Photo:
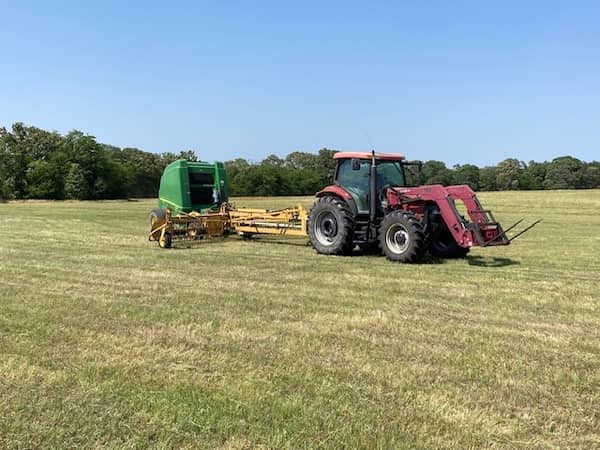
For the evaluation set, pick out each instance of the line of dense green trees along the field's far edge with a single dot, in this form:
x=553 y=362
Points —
x=38 y=164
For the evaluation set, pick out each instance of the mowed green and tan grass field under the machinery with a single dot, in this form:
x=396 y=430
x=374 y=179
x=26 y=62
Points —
x=108 y=341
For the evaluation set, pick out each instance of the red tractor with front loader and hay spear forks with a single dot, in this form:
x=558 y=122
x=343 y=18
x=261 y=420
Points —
x=370 y=205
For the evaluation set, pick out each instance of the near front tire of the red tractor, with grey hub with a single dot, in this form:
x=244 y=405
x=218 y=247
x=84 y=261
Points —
x=401 y=237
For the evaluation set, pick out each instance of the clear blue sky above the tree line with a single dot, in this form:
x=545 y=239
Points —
x=461 y=82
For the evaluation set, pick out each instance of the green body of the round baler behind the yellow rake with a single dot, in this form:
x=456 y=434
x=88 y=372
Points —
x=187 y=186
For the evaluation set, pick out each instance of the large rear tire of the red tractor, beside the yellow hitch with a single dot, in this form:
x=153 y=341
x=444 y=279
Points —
x=331 y=226
